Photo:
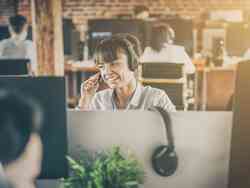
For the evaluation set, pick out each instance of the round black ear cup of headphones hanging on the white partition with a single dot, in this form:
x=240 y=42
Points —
x=165 y=160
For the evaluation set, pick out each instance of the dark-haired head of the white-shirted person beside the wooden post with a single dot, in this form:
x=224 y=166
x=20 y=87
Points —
x=18 y=27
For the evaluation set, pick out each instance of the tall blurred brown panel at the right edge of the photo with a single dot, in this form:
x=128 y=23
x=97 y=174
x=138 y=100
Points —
x=240 y=153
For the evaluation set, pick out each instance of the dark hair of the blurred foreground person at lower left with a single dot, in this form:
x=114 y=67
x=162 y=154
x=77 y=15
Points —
x=19 y=117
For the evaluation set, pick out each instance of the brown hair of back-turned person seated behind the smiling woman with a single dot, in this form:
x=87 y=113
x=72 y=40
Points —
x=161 y=35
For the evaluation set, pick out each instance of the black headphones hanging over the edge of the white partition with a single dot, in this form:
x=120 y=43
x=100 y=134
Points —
x=164 y=158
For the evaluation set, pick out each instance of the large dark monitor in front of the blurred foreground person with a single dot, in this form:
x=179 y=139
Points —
x=50 y=93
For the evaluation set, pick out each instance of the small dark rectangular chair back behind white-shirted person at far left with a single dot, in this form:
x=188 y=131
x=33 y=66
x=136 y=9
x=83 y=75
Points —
x=14 y=66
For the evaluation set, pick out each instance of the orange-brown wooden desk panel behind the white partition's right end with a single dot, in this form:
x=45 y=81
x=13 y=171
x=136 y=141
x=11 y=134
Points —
x=214 y=87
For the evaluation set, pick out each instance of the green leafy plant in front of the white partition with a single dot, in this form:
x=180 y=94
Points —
x=107 y=169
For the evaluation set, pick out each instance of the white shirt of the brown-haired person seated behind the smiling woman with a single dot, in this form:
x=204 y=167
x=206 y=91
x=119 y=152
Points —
x=169 y=54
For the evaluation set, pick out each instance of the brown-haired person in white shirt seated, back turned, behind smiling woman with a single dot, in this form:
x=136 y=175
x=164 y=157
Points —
x=163 y=50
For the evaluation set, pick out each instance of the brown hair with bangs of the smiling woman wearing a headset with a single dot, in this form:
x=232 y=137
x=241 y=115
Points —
x=107 y=51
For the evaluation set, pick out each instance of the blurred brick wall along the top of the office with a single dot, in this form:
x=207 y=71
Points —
x=82 y=10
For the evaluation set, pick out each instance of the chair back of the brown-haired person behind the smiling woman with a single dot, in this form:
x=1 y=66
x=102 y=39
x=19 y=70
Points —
x=169 y=77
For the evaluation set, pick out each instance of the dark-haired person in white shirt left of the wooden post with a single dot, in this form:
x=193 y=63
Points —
x=17 y=46
